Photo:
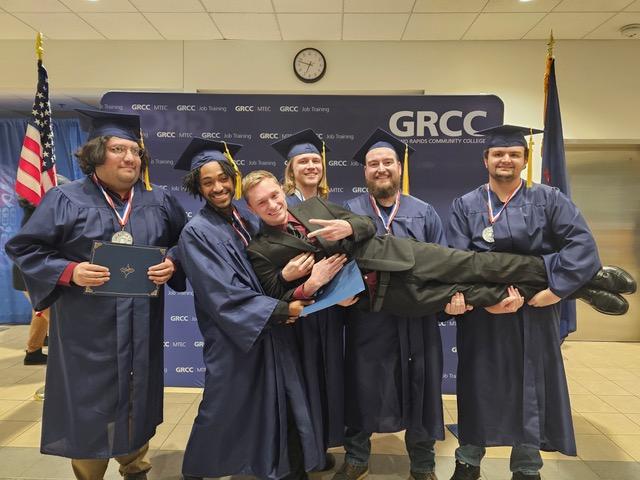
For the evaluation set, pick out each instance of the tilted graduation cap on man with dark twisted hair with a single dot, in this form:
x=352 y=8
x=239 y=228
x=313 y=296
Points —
x=200 y=152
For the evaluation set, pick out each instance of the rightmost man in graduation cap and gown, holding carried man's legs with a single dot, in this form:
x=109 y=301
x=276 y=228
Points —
x=511 y=384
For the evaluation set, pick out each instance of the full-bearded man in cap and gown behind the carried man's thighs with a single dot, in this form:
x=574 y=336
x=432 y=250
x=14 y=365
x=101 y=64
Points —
x=393 y=364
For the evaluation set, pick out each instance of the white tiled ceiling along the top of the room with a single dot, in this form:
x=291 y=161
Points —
x=316 y=19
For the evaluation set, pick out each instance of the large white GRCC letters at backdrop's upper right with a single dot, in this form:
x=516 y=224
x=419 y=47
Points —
x=409 y=124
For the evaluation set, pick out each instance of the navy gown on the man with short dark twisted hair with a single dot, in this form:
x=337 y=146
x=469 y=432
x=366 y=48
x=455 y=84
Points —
x=252 y=365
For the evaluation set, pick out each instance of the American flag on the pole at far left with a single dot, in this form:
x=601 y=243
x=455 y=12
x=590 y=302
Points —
x=36 y=168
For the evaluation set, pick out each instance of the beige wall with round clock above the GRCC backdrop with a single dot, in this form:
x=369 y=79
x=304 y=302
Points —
x=598 y=80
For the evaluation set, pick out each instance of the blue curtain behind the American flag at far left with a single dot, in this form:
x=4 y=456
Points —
x=68 y=136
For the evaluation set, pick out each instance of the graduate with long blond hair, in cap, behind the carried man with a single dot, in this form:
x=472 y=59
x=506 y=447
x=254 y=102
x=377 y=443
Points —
x=320 y=335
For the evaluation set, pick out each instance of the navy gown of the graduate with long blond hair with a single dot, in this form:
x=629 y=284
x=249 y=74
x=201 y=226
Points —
x=320 y=338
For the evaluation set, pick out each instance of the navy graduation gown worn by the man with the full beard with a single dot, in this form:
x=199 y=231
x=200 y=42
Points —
x=393 y=364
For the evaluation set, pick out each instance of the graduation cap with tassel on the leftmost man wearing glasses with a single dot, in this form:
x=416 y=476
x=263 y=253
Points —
x=100 y=123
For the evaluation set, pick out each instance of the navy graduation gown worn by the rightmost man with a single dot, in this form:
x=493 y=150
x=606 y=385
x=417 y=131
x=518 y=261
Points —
x=511 y=383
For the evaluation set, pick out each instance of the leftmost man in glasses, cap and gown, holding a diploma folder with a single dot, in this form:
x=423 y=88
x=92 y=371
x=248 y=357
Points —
x=104 y=385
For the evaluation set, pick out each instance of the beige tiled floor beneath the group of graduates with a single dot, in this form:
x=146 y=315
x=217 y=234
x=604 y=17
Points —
x=604 y=381
